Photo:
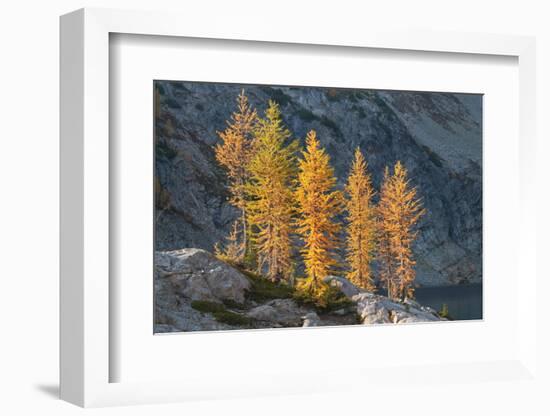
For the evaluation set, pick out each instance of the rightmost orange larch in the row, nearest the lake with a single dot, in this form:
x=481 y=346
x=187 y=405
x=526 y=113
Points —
x=400 y=210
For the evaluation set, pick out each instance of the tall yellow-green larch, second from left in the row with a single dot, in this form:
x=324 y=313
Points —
x=270 y=194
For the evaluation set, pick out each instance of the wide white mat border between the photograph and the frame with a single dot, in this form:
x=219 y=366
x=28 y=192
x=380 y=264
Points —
x=137 y=60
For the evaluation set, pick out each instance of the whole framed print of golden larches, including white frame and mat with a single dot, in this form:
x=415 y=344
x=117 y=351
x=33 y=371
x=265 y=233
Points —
x=238 y=208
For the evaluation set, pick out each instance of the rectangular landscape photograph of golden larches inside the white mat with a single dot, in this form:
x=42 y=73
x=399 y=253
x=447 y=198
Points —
x=283 y=206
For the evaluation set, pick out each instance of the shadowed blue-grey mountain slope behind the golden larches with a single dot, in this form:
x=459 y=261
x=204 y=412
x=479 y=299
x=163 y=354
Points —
x=436 y=135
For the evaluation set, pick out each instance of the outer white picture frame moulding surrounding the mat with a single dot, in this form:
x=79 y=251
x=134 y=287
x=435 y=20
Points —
x=85 y=354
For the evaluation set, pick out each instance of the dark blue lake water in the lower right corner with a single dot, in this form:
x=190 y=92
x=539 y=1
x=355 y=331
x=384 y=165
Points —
x=463 y=301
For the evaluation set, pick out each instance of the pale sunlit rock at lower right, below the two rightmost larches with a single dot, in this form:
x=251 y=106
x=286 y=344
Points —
x=374 y=309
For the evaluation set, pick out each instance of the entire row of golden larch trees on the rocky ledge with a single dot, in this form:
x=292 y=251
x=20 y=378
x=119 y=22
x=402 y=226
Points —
x=279 y=195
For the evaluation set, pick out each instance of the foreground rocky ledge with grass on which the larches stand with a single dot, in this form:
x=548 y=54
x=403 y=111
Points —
x=197 y=292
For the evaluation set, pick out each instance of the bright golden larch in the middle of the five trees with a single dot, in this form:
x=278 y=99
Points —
x=319 y=203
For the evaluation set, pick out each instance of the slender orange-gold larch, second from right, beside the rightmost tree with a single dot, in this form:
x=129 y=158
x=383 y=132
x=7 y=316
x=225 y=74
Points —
x=361 y=228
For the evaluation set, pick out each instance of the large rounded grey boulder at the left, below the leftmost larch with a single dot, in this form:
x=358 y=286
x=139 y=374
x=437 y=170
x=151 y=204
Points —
x=198 y=275
